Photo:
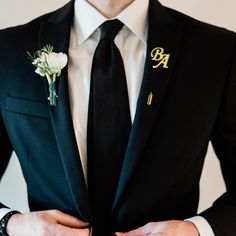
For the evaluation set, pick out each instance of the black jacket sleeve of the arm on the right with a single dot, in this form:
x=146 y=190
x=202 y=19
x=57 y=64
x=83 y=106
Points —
x=222 y=215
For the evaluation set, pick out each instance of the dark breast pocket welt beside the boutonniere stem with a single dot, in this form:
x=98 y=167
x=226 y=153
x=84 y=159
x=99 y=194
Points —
x=27 y=107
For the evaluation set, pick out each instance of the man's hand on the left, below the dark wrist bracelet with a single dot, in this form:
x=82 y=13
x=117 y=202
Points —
x=46 y=223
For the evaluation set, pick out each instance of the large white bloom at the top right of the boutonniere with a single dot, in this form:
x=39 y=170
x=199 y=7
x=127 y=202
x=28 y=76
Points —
x=56 y=61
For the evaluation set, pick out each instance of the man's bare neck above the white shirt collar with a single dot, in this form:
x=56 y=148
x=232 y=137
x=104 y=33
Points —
x=110 y=8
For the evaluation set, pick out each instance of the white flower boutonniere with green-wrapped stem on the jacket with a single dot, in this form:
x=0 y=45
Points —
x=49 y=64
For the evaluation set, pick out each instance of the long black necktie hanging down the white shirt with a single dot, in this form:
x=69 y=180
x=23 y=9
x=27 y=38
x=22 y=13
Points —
x=109 y=126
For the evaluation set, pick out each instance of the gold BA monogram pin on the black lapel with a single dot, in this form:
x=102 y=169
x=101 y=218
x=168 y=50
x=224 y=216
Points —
x=161 y=58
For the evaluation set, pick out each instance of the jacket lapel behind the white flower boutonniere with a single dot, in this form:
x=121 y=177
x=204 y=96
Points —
x=56 y=32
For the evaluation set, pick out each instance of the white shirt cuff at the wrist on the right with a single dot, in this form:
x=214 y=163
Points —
x=202 y=225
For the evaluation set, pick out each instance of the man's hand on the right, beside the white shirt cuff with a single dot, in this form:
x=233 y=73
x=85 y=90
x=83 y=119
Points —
x=164 y=228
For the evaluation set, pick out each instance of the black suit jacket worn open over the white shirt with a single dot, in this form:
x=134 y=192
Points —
x=194 y=101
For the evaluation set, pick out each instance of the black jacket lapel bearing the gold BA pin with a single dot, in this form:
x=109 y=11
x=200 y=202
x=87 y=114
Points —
x=165 y=34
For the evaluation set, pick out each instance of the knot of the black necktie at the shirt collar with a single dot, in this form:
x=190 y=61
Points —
x=109 y=29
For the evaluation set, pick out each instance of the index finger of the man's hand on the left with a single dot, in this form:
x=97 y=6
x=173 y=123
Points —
x=67 y=220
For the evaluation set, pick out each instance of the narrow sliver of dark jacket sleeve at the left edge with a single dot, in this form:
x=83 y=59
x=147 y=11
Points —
x=5 y=150
